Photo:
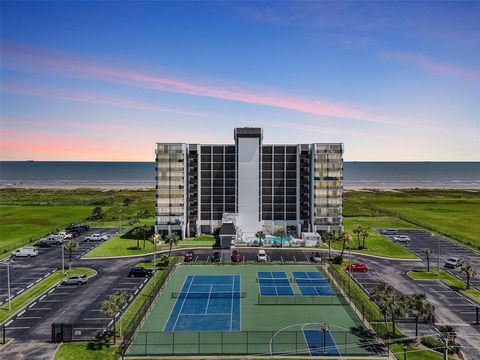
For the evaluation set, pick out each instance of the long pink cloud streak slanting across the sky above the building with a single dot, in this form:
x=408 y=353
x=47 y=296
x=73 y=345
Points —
x=37 y=60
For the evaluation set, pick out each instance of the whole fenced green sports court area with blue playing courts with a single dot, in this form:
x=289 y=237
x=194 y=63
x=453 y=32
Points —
x=293 y=326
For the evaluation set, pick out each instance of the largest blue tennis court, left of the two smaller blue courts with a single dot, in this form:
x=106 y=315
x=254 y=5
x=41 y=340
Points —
x=207 y=303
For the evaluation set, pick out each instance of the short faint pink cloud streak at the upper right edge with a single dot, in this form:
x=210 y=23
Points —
x=438 y=68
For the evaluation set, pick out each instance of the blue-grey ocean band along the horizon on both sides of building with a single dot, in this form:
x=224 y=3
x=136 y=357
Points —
x=357 y=175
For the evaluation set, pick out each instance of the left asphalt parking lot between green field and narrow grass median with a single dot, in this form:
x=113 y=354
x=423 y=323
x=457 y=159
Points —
x=25 y=272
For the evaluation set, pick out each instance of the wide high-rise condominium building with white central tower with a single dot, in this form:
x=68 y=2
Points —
x=263 y=187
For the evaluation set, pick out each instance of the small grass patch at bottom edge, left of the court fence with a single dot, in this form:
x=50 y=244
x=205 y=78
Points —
x=87 y=351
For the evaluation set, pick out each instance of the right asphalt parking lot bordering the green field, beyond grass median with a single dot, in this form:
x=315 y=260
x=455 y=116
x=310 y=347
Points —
x=420 y=239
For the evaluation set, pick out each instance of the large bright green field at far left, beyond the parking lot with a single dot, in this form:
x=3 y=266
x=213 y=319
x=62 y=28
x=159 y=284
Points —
x=21 y=224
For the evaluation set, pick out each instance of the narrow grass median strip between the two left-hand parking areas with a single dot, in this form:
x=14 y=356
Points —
x=27 y=296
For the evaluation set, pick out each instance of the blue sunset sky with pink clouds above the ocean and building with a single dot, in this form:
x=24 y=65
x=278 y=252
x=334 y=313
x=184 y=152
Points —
x=105 y=81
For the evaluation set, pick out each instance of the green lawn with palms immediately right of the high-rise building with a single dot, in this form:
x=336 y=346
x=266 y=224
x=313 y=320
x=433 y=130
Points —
x=376 y=244
